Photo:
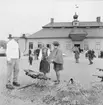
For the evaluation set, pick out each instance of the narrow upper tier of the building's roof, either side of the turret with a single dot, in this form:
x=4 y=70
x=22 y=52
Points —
x=69 y=24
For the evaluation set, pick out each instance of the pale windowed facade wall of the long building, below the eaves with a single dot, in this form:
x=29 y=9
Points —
x=66 y=45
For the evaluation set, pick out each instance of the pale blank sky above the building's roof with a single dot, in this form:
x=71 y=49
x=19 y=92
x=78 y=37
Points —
x=19 y=17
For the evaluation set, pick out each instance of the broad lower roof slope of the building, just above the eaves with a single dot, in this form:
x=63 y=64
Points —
x=65 y=32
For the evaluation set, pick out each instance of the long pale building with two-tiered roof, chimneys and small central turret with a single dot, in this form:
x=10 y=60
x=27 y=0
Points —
x=87 y=35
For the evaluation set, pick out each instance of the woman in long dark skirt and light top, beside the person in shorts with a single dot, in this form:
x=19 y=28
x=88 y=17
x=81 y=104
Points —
x=44 y=64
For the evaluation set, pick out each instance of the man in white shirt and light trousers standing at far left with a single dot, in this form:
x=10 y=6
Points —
x=13 y=55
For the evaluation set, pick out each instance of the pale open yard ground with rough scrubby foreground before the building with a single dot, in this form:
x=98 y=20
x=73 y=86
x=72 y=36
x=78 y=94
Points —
x=46 y=92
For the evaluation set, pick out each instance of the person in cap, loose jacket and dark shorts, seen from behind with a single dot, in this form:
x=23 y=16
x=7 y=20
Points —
x=56 y=58
